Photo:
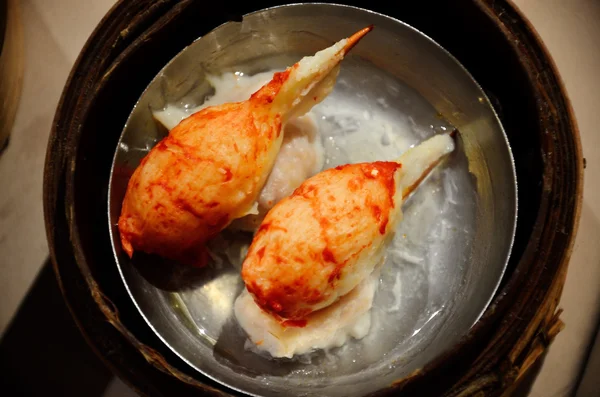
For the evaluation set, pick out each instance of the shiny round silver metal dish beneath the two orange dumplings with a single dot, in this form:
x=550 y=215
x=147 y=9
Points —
x=449 y=253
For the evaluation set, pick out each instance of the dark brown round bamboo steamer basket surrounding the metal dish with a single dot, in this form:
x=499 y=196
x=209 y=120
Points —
x=490 y=38
